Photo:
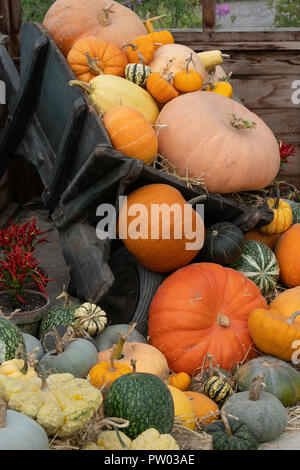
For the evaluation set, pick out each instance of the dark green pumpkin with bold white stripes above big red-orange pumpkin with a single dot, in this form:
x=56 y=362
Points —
x=259 y=264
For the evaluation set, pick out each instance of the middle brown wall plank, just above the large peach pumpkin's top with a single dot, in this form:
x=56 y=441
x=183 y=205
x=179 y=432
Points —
x=266 y=91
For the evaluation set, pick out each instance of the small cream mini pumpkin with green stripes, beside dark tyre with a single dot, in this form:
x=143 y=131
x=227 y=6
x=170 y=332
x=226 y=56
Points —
x=90 y=318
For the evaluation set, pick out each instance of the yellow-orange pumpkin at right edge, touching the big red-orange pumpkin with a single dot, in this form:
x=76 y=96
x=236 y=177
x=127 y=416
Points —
x=275 y=334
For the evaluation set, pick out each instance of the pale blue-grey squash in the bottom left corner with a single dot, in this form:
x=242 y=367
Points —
x=22 y=433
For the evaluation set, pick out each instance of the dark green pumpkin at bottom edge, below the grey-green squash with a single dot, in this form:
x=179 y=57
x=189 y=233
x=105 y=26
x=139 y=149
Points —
x=239 y=437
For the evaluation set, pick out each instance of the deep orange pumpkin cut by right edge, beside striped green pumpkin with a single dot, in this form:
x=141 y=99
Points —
x=287 y=252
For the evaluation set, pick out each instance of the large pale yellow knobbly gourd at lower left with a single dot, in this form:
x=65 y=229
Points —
x=62 y=404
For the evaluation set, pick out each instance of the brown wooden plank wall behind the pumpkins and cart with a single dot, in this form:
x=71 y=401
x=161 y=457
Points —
x=265 y=68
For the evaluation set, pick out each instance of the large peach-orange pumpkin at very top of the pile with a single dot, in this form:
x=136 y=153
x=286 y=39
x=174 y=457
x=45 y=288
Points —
x=70 y=20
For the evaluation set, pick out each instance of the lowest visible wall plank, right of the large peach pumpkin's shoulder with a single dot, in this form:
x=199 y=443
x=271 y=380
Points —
x=285 y=123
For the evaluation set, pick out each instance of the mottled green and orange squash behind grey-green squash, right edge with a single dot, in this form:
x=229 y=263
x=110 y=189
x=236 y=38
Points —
x=282 y=380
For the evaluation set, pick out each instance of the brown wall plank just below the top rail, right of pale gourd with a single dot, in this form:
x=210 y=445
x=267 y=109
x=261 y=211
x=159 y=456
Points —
x=264 y=63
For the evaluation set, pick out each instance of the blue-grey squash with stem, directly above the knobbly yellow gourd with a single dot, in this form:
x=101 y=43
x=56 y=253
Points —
x=77 y=358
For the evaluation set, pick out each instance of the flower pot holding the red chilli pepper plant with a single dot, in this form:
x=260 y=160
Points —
x=28 y=321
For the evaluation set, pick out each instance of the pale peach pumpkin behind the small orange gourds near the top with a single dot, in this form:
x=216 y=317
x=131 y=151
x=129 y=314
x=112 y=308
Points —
x=171 y=58
